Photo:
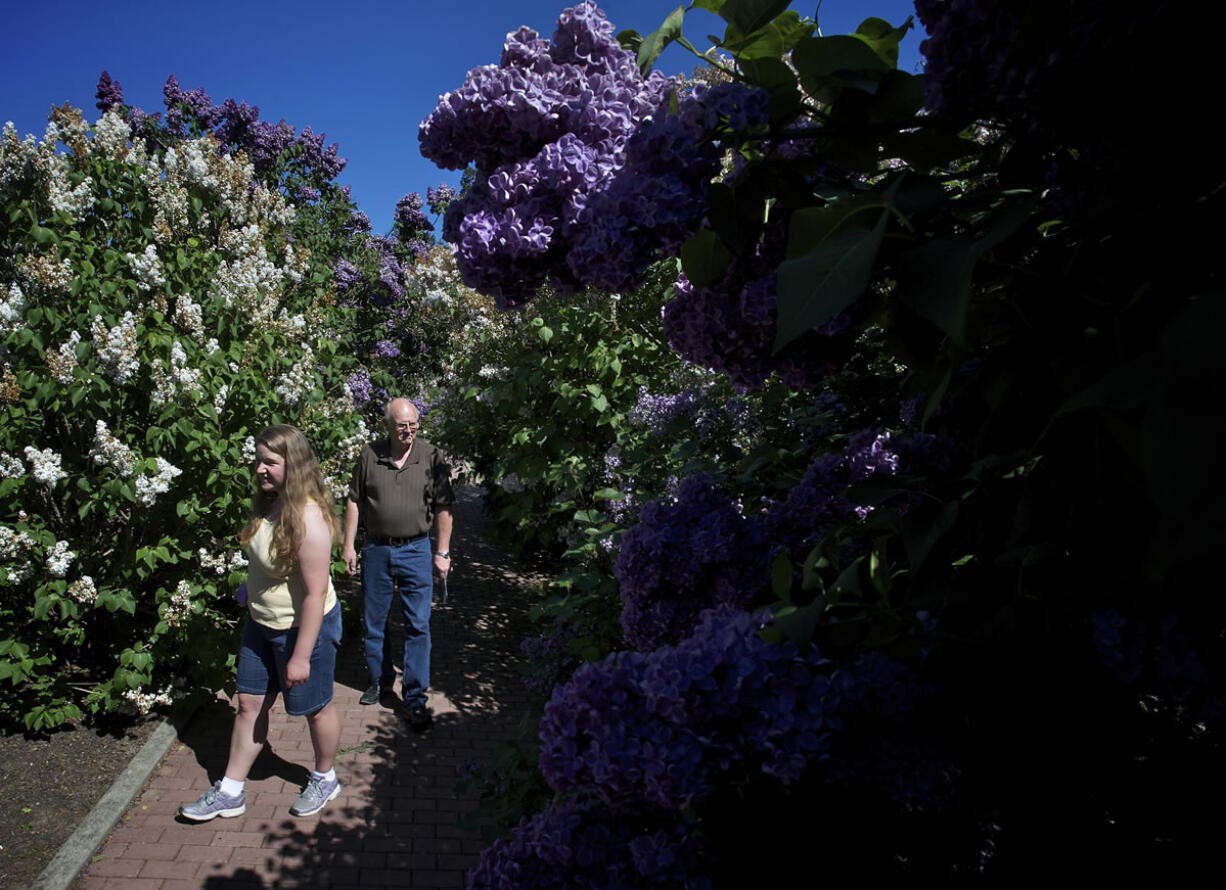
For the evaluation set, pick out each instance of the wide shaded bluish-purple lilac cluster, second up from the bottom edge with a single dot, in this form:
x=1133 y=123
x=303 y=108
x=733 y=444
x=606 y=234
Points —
x=665 y=728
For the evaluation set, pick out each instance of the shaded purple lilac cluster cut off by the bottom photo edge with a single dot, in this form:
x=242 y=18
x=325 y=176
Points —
x=589 y=845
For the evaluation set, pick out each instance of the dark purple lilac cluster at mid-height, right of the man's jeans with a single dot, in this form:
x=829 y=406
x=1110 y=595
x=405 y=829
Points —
x=685 y=557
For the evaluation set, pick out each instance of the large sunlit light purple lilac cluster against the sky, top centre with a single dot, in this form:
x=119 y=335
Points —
x=583 y=176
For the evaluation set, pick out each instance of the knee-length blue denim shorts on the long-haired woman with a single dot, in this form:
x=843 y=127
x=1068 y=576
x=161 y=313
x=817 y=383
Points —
x=265 y=653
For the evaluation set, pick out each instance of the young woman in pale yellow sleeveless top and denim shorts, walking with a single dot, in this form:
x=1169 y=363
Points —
x=294 y=625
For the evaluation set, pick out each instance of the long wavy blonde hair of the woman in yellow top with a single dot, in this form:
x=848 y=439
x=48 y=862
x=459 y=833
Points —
x=305 y=485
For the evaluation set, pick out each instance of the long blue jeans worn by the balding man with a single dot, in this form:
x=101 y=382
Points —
x=406 y=569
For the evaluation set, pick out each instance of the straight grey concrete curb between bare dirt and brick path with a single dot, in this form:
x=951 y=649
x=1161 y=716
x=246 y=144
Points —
x=93 y=832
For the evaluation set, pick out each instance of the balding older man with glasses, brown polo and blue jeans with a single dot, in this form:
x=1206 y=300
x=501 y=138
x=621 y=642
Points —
x=402 y=486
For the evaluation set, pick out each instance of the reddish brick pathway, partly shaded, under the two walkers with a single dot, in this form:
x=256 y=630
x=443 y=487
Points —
x=395 y=823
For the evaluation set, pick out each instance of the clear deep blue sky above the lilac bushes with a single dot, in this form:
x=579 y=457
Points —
x=365 y=72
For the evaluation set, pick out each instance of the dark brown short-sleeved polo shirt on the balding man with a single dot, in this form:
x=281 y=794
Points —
x=400 y=502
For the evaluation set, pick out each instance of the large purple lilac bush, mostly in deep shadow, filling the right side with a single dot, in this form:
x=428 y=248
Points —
x=952 y=627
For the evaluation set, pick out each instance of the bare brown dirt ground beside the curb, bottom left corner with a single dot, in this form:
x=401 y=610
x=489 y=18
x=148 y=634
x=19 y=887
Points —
x=50 y=784
